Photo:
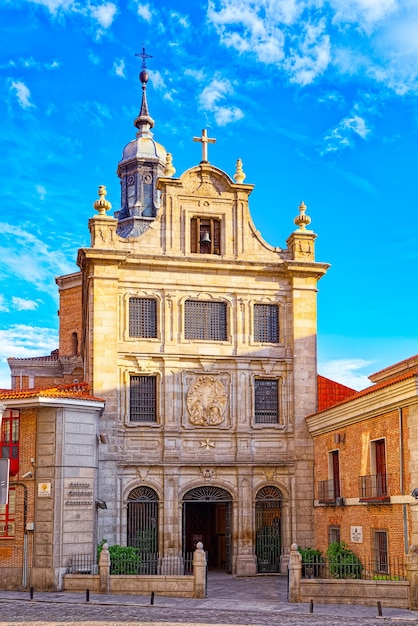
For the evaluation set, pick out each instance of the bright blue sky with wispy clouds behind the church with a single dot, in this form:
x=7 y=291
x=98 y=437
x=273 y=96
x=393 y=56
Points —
x=318 y=98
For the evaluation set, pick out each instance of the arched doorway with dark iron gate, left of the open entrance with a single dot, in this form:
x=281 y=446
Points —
x=142 y=521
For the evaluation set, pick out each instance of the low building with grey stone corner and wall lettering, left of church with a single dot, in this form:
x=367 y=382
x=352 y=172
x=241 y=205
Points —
x=50 y=437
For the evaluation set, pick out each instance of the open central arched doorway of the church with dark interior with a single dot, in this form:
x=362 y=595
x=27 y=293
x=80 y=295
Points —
x=207 y=517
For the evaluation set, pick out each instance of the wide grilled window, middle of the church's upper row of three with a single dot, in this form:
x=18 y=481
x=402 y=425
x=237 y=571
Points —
x=205 y=320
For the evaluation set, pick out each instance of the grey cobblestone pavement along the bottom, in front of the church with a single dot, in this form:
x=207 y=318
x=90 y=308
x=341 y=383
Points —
x=259 y=601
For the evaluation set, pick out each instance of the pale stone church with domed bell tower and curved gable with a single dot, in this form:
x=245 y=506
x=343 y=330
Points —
x=201 y=339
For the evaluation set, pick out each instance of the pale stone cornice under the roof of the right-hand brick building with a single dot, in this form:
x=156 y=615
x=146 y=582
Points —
x=372 y=404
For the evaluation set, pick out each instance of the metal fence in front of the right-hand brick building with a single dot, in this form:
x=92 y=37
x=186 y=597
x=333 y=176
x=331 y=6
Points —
x=365 y=569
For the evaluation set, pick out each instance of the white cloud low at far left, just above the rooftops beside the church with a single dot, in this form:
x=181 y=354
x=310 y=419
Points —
x=22 y=341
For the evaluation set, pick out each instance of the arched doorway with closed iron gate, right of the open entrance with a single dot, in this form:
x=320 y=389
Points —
x=267 y=525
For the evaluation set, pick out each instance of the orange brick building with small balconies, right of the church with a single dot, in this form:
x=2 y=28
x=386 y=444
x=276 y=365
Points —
x=366 y=467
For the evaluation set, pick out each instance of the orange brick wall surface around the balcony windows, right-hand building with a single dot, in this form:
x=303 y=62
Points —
x=355 y=461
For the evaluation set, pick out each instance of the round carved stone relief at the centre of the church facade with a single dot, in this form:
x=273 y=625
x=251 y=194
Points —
x=206 y=401
